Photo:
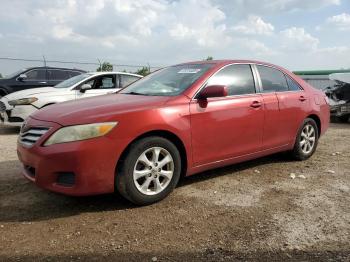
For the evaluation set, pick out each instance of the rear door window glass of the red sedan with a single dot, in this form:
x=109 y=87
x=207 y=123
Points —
x=272 y=79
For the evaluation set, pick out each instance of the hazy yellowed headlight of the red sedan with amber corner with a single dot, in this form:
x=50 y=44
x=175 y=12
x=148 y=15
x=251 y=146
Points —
x=80 y=132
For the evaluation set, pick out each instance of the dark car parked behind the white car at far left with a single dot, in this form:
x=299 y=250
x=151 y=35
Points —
x=35 y=77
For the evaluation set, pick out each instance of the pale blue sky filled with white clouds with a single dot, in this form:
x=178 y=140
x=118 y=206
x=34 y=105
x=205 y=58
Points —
x=297 y=34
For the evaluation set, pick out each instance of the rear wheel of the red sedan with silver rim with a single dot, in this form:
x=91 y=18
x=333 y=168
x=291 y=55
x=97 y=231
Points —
x=306 y=140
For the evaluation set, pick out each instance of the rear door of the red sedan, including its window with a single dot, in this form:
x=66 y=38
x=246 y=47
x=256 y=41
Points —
x=283 y=107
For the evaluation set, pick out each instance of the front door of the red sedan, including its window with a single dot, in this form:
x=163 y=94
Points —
x=231 y=126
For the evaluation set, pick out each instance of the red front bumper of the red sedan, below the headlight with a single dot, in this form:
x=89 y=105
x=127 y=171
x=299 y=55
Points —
x=90 y=165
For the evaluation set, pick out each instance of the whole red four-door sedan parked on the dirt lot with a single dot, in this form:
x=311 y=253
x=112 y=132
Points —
x=180 y=120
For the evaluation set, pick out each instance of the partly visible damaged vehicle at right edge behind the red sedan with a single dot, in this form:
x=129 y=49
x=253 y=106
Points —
x=339 y=96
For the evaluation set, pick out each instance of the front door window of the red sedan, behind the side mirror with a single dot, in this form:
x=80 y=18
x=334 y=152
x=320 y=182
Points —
x=238 y=79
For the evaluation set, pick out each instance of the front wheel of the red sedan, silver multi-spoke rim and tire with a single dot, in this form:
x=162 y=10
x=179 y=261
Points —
x=149 y=171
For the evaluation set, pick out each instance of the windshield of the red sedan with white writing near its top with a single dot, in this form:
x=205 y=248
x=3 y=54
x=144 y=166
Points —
x=170 y=81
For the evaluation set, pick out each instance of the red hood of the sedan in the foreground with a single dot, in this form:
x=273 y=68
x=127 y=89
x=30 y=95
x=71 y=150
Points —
x=97 y=109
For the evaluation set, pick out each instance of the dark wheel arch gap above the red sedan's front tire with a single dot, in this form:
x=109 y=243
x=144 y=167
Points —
x=164 y=134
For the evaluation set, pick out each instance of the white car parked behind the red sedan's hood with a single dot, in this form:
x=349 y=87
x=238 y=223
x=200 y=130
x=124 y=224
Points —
x=16 y=107
